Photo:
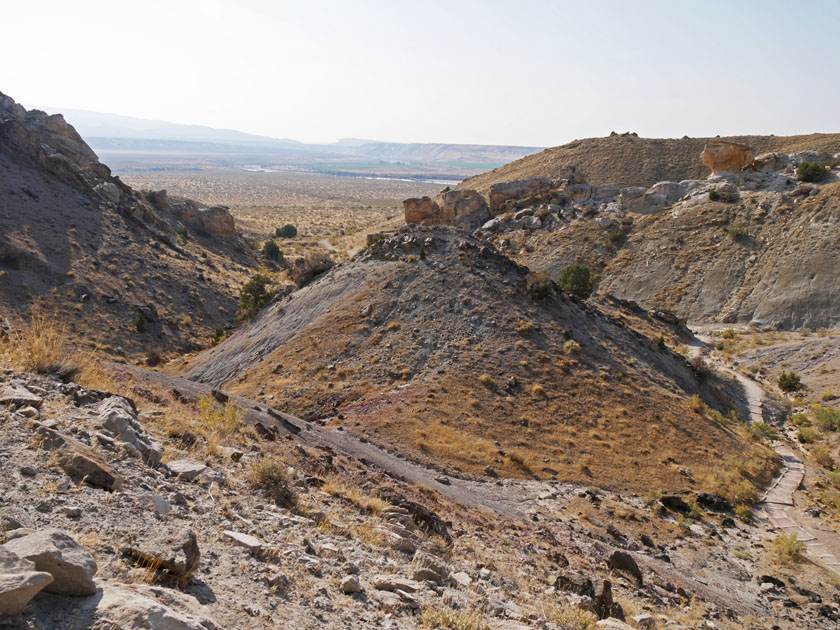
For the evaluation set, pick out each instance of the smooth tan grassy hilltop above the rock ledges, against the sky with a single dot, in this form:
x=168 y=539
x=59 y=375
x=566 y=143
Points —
x=630 y=161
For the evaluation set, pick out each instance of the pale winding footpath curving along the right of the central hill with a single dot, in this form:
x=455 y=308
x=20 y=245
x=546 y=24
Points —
x=780 y=495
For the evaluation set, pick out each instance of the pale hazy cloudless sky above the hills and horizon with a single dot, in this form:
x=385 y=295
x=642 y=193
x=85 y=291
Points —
x=523 y=72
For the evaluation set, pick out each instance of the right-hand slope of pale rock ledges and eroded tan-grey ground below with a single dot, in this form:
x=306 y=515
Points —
x=748 y=244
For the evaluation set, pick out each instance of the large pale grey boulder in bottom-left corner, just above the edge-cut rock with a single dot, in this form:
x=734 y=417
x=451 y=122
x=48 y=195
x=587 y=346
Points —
x=53 y=551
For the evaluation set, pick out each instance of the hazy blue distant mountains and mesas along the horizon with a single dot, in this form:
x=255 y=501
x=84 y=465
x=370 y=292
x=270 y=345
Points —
x=127 y=142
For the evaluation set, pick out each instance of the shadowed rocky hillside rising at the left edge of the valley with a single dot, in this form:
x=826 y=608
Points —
x=77 y=242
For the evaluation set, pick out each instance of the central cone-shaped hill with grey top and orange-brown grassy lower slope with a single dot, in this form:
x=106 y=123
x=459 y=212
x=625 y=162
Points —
x=452 y=360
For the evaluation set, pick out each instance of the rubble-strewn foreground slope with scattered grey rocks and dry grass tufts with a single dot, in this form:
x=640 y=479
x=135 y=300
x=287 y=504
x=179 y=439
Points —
x=169 y=516
